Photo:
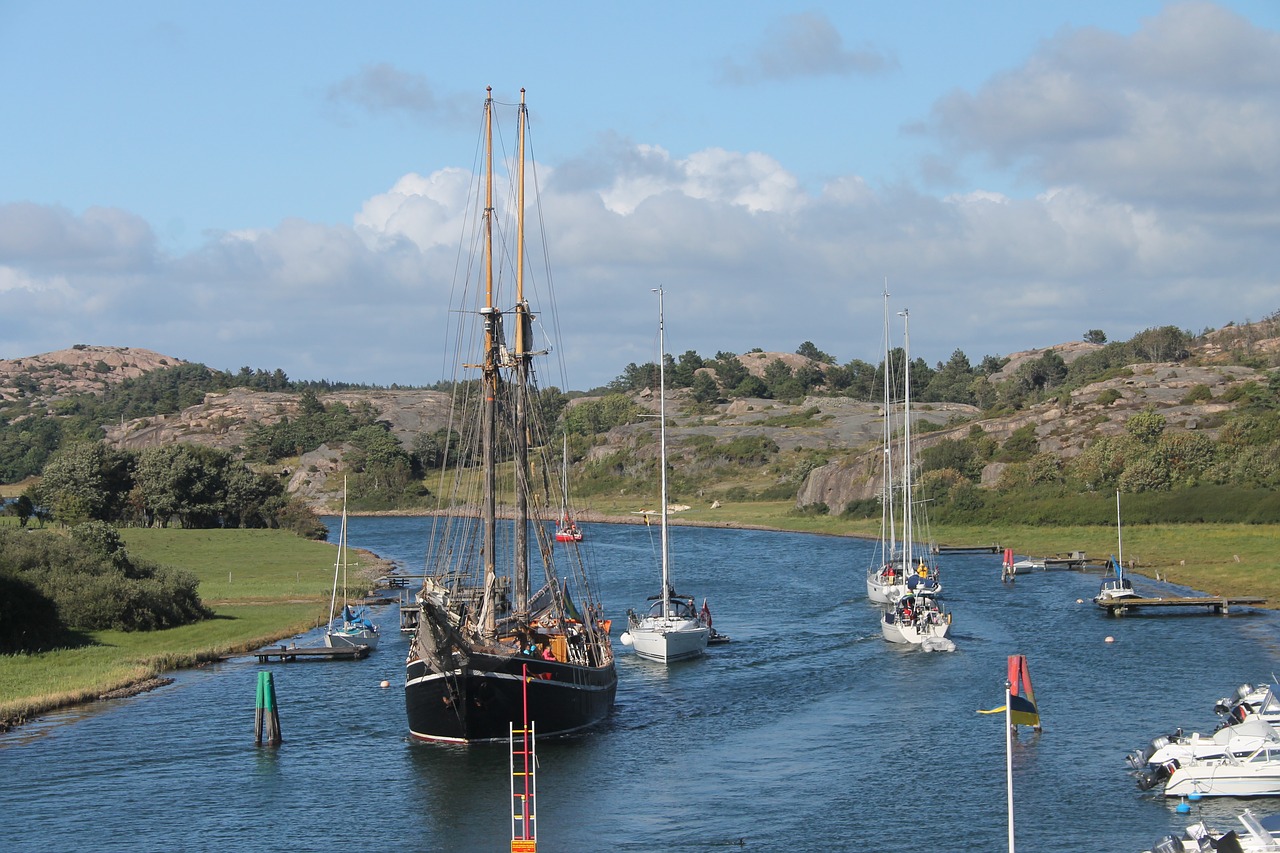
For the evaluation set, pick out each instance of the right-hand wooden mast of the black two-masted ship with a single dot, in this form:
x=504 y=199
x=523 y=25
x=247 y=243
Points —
x=520 y=580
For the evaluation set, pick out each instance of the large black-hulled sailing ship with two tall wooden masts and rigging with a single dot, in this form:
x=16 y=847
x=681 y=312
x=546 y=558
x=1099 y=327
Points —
x=490 y=636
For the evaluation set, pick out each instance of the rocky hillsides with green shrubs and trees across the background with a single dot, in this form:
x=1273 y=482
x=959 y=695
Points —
x=1167 y=413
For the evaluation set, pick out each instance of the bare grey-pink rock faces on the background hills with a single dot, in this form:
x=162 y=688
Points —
x=843 y=430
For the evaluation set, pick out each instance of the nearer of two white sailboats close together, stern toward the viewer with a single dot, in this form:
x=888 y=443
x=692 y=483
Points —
x=915 y=613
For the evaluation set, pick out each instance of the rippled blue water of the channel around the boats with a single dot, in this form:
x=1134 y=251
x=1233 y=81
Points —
x=806 y=733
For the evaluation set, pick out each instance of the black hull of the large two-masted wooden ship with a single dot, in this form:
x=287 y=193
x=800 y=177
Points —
x=479 y=703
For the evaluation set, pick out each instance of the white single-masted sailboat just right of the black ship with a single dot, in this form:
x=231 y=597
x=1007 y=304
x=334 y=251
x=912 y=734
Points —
x=671 y=630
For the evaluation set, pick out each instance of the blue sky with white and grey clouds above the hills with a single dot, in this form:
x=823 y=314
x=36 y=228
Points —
x=280 y=185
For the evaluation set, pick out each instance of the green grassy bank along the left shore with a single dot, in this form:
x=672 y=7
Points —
x=262 y=585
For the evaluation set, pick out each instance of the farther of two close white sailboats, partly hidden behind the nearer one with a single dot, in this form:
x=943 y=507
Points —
x=900 y=567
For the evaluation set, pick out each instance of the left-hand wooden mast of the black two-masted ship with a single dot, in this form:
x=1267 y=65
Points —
x=490 y=418
